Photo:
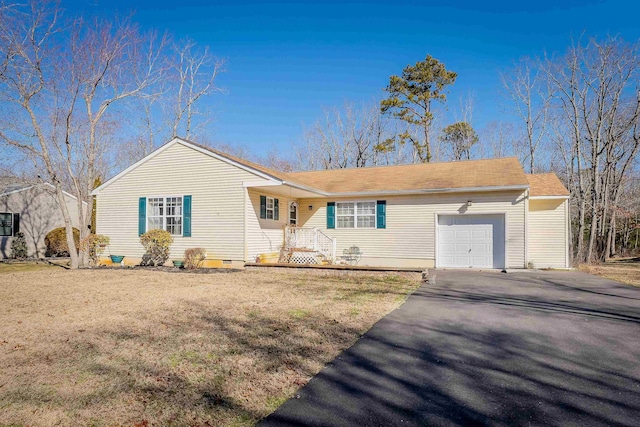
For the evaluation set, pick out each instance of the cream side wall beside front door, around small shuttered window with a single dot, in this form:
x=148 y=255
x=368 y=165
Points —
x=264 y=235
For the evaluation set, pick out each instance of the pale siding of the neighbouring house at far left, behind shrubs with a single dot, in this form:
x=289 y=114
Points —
x=39 y=213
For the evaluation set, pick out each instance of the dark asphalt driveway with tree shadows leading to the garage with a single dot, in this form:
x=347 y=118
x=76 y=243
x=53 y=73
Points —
x=484 y=348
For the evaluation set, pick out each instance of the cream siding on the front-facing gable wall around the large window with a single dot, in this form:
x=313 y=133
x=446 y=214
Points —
x=218 y=200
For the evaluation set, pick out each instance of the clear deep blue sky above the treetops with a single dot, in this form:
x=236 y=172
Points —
x=287 y=60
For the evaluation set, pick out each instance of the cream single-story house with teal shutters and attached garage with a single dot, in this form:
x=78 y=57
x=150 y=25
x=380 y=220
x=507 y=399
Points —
x=475 y=213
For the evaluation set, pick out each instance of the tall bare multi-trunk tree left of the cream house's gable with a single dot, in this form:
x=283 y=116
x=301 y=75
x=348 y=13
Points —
x=60 y=83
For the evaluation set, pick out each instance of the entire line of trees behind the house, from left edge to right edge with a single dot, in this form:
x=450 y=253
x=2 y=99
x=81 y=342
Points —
x=82 y=98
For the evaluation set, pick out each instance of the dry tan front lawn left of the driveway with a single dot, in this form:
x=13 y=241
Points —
x=110 y=347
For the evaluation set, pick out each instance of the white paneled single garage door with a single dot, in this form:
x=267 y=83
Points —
x=475 y=241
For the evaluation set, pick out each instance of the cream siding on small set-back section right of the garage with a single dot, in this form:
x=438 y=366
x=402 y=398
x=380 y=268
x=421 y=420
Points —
x=547 y=233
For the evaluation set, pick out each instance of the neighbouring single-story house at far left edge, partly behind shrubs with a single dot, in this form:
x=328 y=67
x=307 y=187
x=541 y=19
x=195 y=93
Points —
x=32 y=209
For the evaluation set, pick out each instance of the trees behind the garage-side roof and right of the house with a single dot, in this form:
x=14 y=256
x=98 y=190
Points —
x=577 y=114
